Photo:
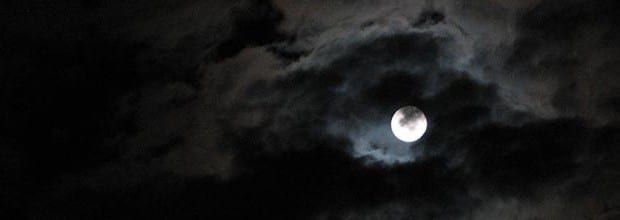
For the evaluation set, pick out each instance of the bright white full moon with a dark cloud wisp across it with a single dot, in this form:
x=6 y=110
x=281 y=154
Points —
x=409 y=124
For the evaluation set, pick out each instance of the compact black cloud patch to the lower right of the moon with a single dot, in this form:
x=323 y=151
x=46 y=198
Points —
x=526 y=155
